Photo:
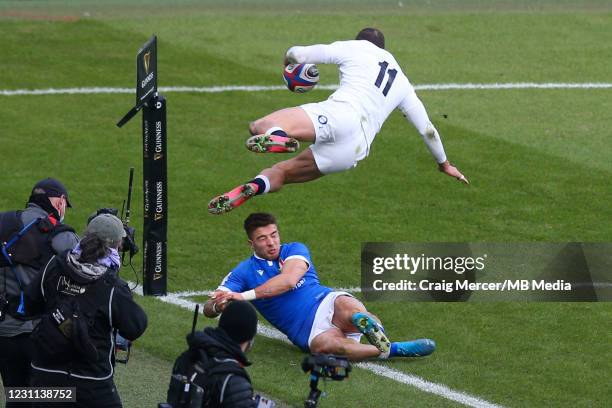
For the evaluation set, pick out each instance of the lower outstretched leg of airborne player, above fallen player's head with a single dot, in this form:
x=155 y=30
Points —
x=299 y=169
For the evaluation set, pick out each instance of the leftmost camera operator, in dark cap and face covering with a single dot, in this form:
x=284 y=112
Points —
x=20 y=263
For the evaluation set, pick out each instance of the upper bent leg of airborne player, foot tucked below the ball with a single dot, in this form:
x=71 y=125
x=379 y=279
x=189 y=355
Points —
x=280 y=131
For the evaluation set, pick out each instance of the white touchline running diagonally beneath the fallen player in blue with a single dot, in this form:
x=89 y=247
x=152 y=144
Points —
x=178 y=299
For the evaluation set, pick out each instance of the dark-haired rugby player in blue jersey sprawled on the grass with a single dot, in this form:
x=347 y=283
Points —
x=282 y=283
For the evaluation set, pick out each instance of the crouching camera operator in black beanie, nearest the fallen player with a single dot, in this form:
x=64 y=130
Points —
x=215 y=362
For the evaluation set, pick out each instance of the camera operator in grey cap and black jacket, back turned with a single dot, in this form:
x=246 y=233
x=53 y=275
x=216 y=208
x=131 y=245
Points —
x=84 y=300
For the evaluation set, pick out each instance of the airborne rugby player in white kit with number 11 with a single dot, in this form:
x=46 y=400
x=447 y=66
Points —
x=342 y=128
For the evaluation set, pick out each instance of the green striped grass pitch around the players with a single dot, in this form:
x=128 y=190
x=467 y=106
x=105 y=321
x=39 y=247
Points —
x=539 y=160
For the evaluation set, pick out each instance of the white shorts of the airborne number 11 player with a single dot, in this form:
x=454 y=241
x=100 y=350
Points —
x=340 y=136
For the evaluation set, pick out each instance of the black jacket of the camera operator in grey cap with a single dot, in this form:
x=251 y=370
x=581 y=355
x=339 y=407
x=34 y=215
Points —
x=106 y=303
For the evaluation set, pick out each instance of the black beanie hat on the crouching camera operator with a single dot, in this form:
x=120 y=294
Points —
x=239 y=321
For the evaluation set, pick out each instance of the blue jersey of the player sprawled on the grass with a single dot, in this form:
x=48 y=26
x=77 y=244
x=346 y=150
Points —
x=292 y=312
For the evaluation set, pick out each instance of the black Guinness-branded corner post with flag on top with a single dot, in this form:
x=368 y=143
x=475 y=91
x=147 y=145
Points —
x=155 y=183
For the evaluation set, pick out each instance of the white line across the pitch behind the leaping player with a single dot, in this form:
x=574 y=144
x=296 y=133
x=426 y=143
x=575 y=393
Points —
x=259 y=88
